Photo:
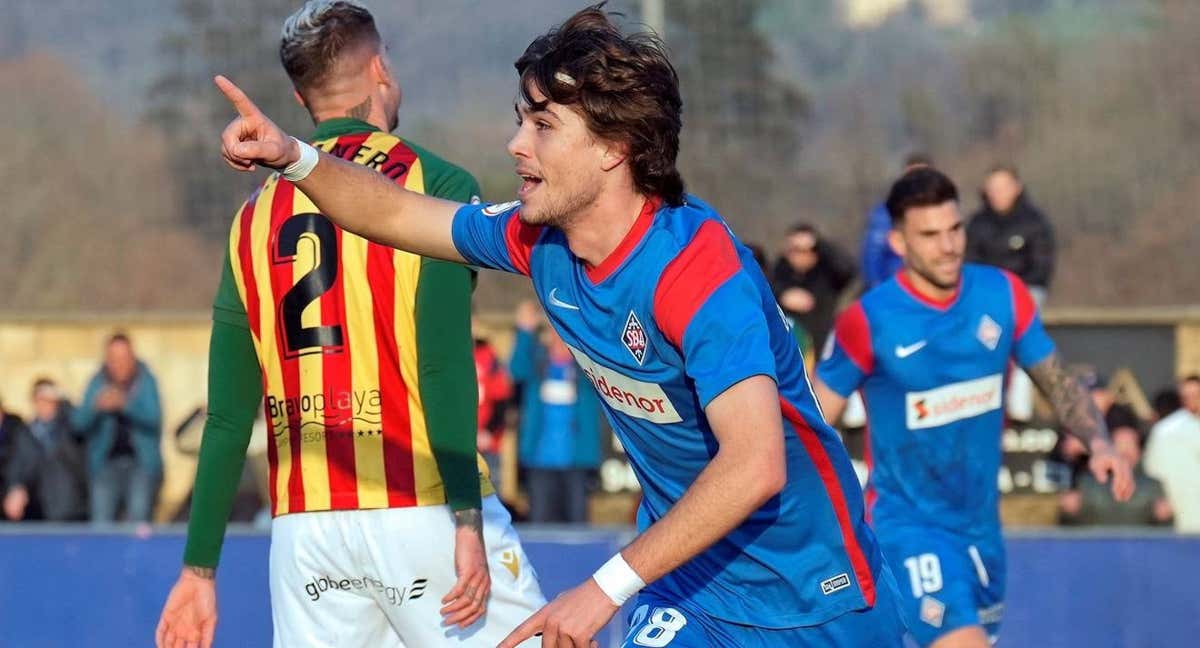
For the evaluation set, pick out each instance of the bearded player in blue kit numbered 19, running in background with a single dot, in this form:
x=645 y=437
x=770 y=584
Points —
x=931 y=350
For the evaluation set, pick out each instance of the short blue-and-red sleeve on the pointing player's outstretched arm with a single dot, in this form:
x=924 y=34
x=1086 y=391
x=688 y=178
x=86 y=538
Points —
x=494 y=237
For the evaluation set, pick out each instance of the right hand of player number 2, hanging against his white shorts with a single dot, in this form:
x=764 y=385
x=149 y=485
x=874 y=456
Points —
x=467 y=602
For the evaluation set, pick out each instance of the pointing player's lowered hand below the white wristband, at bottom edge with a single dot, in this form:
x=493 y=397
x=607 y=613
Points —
x=571 y=621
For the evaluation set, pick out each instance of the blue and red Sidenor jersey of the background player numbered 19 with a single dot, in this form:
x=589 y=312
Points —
x=933 y=376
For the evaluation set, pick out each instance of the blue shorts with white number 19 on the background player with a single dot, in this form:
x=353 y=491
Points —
x=947 y=581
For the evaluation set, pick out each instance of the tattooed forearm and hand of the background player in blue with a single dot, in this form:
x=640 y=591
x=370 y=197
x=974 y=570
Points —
x=1077 y=412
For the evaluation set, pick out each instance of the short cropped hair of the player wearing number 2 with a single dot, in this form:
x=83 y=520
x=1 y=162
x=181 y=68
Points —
x=317 y=34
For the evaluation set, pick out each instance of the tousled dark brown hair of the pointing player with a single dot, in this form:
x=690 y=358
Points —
x=625 y=87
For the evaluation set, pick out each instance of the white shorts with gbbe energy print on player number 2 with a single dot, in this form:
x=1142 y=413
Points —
x=377 y=578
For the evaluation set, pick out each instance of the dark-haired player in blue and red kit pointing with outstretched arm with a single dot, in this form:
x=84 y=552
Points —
x=753 y=527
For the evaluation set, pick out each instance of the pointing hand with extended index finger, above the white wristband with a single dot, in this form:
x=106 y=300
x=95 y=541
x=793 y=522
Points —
x=251 y=139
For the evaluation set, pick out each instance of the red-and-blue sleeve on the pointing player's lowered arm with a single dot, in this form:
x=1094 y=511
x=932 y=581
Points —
x=711 y=310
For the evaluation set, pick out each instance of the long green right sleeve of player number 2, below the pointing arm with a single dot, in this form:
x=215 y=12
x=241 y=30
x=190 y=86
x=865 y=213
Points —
x=447 y=376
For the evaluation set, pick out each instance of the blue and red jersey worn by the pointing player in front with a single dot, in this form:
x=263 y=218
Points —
x=679 y=314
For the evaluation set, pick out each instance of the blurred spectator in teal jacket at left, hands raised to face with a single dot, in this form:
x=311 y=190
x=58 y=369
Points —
x=122 y=421
